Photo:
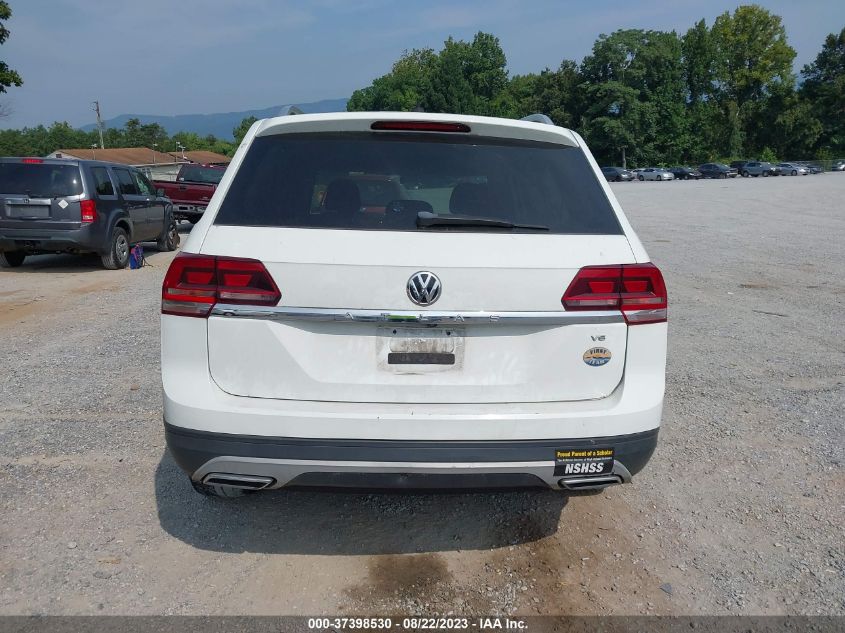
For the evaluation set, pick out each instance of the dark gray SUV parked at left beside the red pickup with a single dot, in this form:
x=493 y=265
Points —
x=79 y=206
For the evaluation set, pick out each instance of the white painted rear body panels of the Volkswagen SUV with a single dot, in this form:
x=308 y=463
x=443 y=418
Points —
x=325 y=380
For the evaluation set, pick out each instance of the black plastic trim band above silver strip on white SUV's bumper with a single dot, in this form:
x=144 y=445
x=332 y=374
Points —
x=191 y=449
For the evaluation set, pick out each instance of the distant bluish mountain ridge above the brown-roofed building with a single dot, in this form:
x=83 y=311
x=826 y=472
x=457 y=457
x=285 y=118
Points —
x=221 y=123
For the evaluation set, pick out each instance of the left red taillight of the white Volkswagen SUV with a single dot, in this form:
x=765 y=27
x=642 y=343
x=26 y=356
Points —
x=194 y=283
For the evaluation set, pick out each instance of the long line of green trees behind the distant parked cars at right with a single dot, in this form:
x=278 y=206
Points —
x=716 y=92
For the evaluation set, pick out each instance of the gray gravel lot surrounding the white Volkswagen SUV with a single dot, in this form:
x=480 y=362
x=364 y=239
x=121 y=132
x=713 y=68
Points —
x=740 y=511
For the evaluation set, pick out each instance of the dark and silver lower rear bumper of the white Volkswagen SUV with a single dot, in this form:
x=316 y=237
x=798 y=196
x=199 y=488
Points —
x=285 y=461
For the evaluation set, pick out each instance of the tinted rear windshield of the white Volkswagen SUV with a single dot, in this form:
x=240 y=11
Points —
x=383 y=181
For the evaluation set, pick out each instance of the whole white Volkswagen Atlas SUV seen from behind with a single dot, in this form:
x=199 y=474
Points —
x=406 y=299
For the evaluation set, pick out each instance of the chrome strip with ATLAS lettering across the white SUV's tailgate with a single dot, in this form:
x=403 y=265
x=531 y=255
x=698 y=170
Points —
x=403 y=317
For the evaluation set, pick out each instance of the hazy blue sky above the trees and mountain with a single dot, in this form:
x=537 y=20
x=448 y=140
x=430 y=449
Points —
x=202 y=56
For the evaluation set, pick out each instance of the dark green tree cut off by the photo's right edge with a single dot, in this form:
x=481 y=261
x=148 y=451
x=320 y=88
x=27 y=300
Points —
x=824 y=90
